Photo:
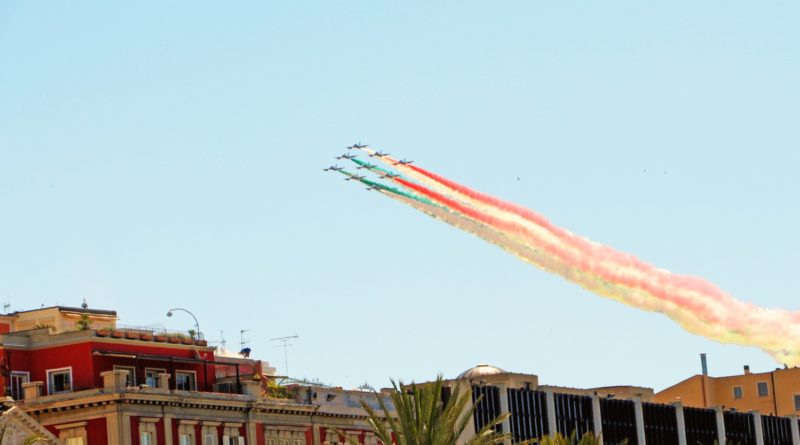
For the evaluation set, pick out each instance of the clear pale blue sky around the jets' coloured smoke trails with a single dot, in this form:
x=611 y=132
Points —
x=162 y=154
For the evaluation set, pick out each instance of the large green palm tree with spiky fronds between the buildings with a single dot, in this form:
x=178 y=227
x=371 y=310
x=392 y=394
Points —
x=422 y=418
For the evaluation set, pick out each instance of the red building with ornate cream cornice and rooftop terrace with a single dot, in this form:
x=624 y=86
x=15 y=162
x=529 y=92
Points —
x=84 y=380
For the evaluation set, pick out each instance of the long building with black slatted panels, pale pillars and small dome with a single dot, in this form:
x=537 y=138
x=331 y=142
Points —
x=615 y=414
